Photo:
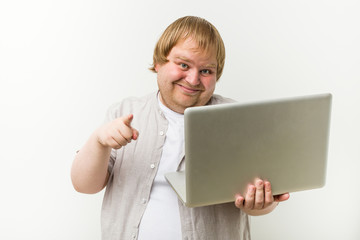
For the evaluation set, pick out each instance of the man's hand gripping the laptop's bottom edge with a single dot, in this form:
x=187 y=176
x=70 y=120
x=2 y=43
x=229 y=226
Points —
x=259 y=199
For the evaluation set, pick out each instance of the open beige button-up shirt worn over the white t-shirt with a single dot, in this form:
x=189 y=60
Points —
x=132 y=171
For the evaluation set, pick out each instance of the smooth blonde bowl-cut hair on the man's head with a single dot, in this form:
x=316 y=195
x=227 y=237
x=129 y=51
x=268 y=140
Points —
x=201 y=31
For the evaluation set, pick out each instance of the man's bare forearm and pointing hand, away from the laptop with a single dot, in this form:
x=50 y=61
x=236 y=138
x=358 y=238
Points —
x=89 y=172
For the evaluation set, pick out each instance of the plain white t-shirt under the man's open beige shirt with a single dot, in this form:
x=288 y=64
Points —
x=161 y=220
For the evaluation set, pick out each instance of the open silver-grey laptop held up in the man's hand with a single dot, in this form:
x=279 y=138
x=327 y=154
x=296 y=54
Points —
x=227 y=146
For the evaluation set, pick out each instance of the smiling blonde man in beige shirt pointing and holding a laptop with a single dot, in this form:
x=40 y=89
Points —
x=143 y=139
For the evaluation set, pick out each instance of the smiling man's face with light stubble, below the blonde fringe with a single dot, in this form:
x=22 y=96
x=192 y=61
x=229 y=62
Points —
x=188 y=78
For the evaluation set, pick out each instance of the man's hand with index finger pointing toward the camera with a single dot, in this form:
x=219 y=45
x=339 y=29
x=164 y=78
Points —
x=117 y=133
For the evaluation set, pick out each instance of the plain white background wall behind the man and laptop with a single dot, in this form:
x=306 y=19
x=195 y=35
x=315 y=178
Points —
x=62 y=63
